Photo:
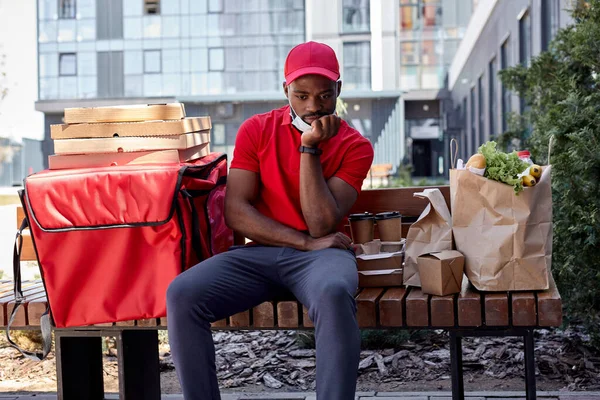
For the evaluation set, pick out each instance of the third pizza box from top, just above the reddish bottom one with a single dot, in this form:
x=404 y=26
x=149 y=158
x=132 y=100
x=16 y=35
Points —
x=127 y=144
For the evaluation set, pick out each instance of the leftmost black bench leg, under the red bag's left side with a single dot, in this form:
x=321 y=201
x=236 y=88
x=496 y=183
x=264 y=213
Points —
x=79 y=367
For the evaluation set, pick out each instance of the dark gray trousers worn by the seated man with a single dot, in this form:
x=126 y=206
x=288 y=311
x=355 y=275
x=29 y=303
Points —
x=325 y=281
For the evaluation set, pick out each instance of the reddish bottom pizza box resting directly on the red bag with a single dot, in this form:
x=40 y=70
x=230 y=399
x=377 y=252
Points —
x=72 y=161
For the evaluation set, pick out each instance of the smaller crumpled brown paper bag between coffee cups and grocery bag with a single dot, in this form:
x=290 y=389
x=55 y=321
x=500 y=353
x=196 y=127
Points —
x=431 y=233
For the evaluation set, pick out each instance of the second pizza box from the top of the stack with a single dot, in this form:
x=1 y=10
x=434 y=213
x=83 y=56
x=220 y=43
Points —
x=125 y=129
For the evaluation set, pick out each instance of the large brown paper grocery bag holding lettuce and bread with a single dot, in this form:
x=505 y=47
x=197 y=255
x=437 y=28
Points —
x=506 y=239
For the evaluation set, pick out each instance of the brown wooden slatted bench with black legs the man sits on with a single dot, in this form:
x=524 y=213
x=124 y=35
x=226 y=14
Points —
x=470 y=313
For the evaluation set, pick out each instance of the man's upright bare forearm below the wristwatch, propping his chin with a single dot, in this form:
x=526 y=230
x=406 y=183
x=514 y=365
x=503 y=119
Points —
x=319 y=207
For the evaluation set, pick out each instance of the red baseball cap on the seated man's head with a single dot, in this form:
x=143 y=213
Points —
x=311 y=58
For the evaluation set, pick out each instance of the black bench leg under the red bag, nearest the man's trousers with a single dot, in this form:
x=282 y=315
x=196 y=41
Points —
x=139 y=373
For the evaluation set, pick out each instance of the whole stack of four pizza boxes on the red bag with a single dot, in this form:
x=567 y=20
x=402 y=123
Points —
x=128 y=135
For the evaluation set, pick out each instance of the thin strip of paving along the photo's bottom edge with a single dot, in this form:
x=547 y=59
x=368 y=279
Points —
x=360 y=396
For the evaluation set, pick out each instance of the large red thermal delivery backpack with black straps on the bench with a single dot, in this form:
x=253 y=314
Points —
x=110 y=240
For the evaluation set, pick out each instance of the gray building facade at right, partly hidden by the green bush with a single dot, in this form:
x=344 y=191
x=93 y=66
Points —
x=501 y=34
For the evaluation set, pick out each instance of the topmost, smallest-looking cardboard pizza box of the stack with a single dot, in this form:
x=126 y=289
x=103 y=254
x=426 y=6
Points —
x=131 y=113
